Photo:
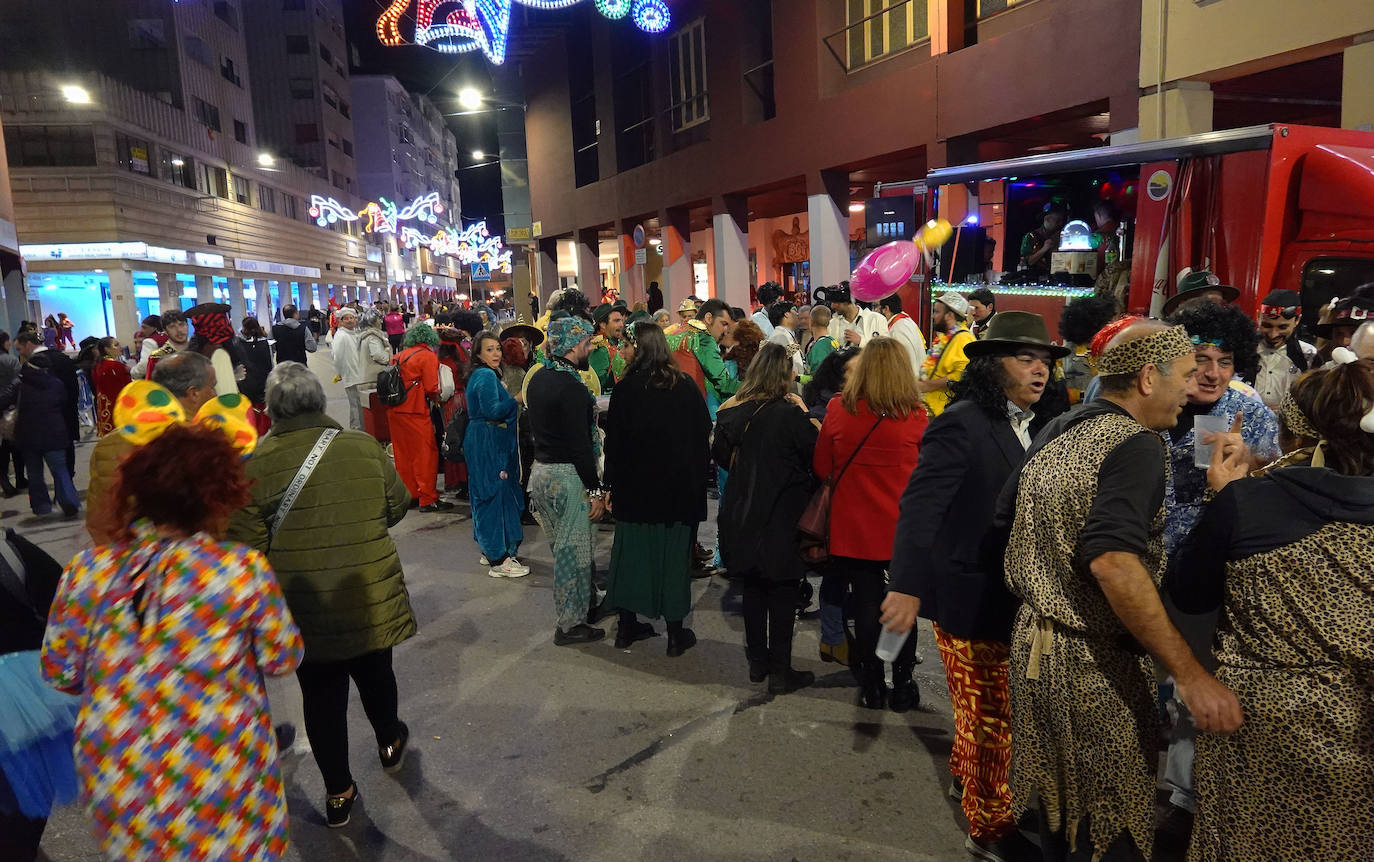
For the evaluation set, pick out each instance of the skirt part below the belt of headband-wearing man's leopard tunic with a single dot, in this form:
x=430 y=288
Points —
x=1085 y=735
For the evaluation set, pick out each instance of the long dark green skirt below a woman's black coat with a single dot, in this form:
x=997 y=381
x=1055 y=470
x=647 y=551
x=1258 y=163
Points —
x=649 y=570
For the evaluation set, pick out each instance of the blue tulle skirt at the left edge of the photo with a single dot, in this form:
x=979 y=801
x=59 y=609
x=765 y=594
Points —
x=36 y=740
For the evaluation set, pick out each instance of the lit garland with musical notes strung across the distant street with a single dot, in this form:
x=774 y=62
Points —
x=471 y=245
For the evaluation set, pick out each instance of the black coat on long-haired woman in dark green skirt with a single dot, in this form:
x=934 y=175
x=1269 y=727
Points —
x=657 y=447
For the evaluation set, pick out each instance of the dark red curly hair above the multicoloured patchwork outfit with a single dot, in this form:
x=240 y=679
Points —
x=190 y=479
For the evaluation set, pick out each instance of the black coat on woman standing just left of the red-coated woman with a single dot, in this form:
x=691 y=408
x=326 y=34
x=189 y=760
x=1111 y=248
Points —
x=769 y=489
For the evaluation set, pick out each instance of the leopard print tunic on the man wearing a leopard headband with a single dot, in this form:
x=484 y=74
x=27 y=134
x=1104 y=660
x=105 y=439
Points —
x=1083 y=695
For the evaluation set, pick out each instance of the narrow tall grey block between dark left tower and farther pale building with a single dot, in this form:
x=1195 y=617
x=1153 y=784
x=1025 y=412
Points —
x=304 y=112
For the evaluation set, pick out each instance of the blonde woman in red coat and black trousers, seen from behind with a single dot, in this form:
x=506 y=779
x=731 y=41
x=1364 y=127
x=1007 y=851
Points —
x=877 y=423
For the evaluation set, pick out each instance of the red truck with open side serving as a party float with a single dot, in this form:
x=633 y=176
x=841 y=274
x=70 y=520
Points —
x=1262 y=207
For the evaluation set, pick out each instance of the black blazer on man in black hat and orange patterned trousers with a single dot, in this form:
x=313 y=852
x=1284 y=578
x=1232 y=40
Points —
x=947 y=553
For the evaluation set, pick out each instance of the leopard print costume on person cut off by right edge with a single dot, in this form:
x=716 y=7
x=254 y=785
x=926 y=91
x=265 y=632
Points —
x=1298 y=648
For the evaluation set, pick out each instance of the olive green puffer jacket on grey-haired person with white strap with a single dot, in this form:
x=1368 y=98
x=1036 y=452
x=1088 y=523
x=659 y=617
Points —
x=333 y=556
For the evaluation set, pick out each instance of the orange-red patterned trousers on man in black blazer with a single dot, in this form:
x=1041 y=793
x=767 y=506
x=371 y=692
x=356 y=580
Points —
x=982 y=757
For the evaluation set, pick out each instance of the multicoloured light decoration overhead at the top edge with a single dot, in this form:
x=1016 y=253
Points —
x=460 y=27
